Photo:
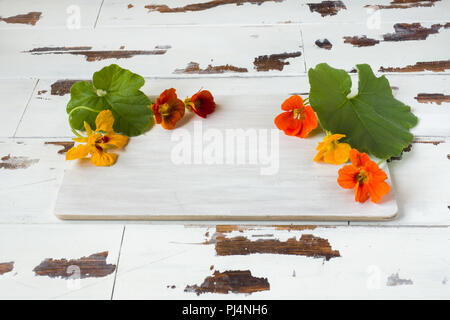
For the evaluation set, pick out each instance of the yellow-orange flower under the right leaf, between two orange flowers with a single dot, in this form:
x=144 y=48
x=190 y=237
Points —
x=331 y=151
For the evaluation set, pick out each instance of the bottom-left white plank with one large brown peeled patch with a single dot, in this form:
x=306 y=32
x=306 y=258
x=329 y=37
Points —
x=59 y=262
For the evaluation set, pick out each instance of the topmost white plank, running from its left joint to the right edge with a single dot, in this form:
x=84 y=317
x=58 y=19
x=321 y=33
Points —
x=205 y=12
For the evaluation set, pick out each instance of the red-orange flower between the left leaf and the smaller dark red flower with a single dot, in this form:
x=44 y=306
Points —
x=168 y=109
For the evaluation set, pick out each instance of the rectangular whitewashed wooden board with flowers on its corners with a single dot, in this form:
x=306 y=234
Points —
x=148 y=183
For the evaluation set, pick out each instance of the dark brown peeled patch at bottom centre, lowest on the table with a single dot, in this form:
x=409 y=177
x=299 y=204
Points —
x=230 y=281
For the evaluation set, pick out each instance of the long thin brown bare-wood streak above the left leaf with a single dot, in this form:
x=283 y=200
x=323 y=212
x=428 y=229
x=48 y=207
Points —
x=98 y=55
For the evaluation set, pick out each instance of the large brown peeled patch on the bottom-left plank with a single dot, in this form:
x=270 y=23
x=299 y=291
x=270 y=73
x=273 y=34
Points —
x=94 y=266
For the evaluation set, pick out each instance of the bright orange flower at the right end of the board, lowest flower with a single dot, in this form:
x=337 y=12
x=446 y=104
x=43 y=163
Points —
x=365 y=177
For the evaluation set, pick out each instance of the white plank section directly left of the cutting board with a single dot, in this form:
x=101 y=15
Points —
x=28 y=186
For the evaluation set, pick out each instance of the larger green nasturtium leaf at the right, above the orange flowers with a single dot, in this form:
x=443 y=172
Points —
x=373 y=120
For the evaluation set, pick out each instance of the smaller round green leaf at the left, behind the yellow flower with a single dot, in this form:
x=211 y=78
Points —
x=115 y=89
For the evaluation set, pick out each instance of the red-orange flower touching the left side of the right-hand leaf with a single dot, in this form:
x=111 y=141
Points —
x=297 y=120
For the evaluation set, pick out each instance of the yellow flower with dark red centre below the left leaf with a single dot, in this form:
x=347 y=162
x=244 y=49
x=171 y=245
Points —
x=98 y=141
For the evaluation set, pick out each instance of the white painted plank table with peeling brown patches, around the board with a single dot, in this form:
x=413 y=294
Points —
x=221 y=48
